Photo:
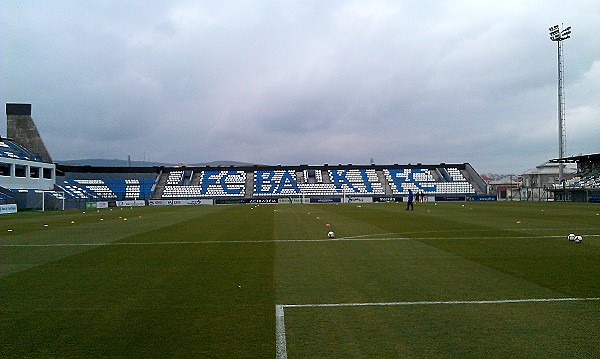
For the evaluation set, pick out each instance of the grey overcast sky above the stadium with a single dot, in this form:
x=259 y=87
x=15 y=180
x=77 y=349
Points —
x=304 y=82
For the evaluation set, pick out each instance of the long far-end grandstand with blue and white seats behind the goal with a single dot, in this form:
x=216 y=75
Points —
x=270 y=183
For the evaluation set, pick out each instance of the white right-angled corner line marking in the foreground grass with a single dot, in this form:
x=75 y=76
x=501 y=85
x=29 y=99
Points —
x=281 y=347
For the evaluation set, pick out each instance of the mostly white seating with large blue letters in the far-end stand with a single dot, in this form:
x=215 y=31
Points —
x=303 y=182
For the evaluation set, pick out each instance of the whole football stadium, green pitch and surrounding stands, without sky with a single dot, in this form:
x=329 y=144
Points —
x=289 y=261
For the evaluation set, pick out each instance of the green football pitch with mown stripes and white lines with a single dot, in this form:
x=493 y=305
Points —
x=449 y=280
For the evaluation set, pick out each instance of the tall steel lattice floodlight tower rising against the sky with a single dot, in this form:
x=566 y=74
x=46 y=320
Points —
x=559 y=36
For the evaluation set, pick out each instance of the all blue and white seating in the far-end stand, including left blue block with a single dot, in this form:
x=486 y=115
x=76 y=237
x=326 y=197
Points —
x=318 y=182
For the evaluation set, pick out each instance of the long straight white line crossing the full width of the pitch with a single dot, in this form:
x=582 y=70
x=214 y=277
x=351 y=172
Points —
x=342 y=239
